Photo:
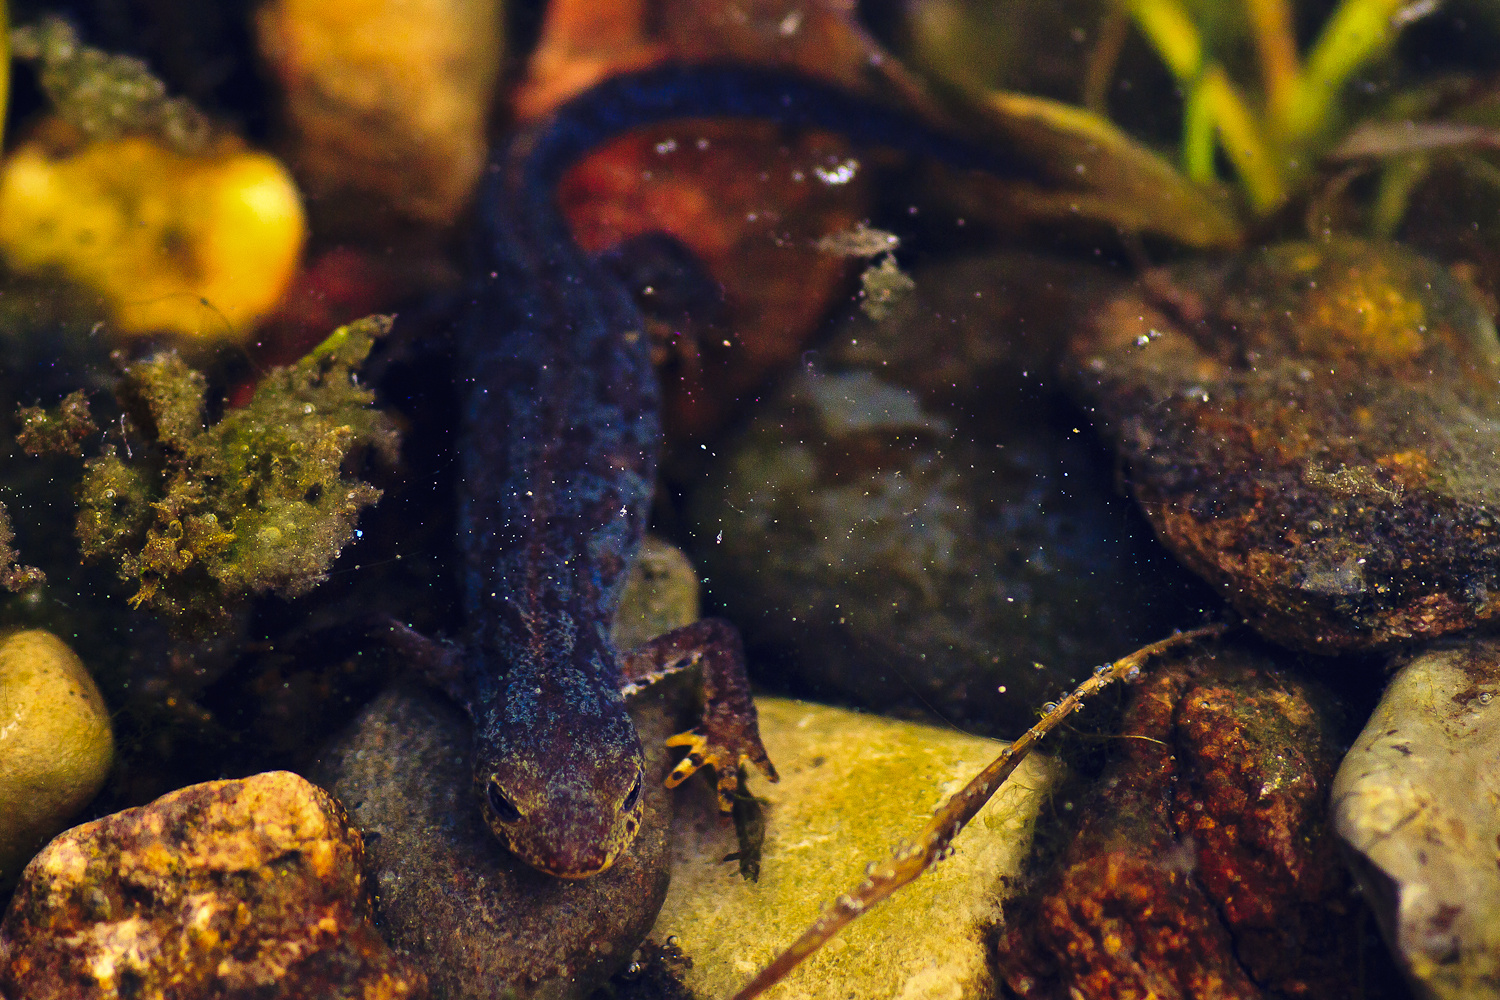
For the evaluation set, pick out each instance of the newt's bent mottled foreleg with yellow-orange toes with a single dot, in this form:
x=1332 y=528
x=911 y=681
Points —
x=730 y=734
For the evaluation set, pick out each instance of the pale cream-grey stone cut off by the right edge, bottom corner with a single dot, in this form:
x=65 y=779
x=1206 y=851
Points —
x=1415 y=800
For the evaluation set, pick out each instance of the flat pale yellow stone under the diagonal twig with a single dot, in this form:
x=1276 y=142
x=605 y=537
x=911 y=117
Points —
x=851 y=788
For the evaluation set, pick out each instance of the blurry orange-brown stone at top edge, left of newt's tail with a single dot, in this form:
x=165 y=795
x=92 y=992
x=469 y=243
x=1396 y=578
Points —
x=382 y=125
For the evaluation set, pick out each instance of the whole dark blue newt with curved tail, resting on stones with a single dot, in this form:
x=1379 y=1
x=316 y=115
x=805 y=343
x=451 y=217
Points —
x=559 y=454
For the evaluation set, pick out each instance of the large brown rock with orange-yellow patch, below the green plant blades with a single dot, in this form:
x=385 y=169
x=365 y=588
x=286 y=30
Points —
x=1316 y=431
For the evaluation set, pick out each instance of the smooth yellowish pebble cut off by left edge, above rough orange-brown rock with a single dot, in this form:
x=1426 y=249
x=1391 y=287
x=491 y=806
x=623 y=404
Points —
x=56 y=744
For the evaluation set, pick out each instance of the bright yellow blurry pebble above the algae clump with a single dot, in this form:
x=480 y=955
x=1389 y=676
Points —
x=193 y=245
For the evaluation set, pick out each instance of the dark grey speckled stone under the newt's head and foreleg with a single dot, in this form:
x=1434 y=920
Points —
x=482 y=923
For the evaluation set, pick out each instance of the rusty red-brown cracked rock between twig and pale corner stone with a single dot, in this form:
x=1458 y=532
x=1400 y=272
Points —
x=1204 y=866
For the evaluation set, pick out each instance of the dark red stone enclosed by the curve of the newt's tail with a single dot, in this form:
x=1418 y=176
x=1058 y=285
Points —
x=748 y=205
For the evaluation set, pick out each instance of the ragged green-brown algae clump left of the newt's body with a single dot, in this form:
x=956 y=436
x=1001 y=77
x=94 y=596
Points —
x=206 y=515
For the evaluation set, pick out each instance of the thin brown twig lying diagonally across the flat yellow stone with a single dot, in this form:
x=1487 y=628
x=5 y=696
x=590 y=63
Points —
x=911 y=860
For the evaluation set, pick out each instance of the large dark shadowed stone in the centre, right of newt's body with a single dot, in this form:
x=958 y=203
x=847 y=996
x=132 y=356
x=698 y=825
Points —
x=919 y=522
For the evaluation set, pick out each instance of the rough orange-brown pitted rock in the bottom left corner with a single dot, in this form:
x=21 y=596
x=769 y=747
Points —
x=226 y=890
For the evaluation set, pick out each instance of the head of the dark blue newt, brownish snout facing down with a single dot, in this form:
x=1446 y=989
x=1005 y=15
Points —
x=562 y=777
